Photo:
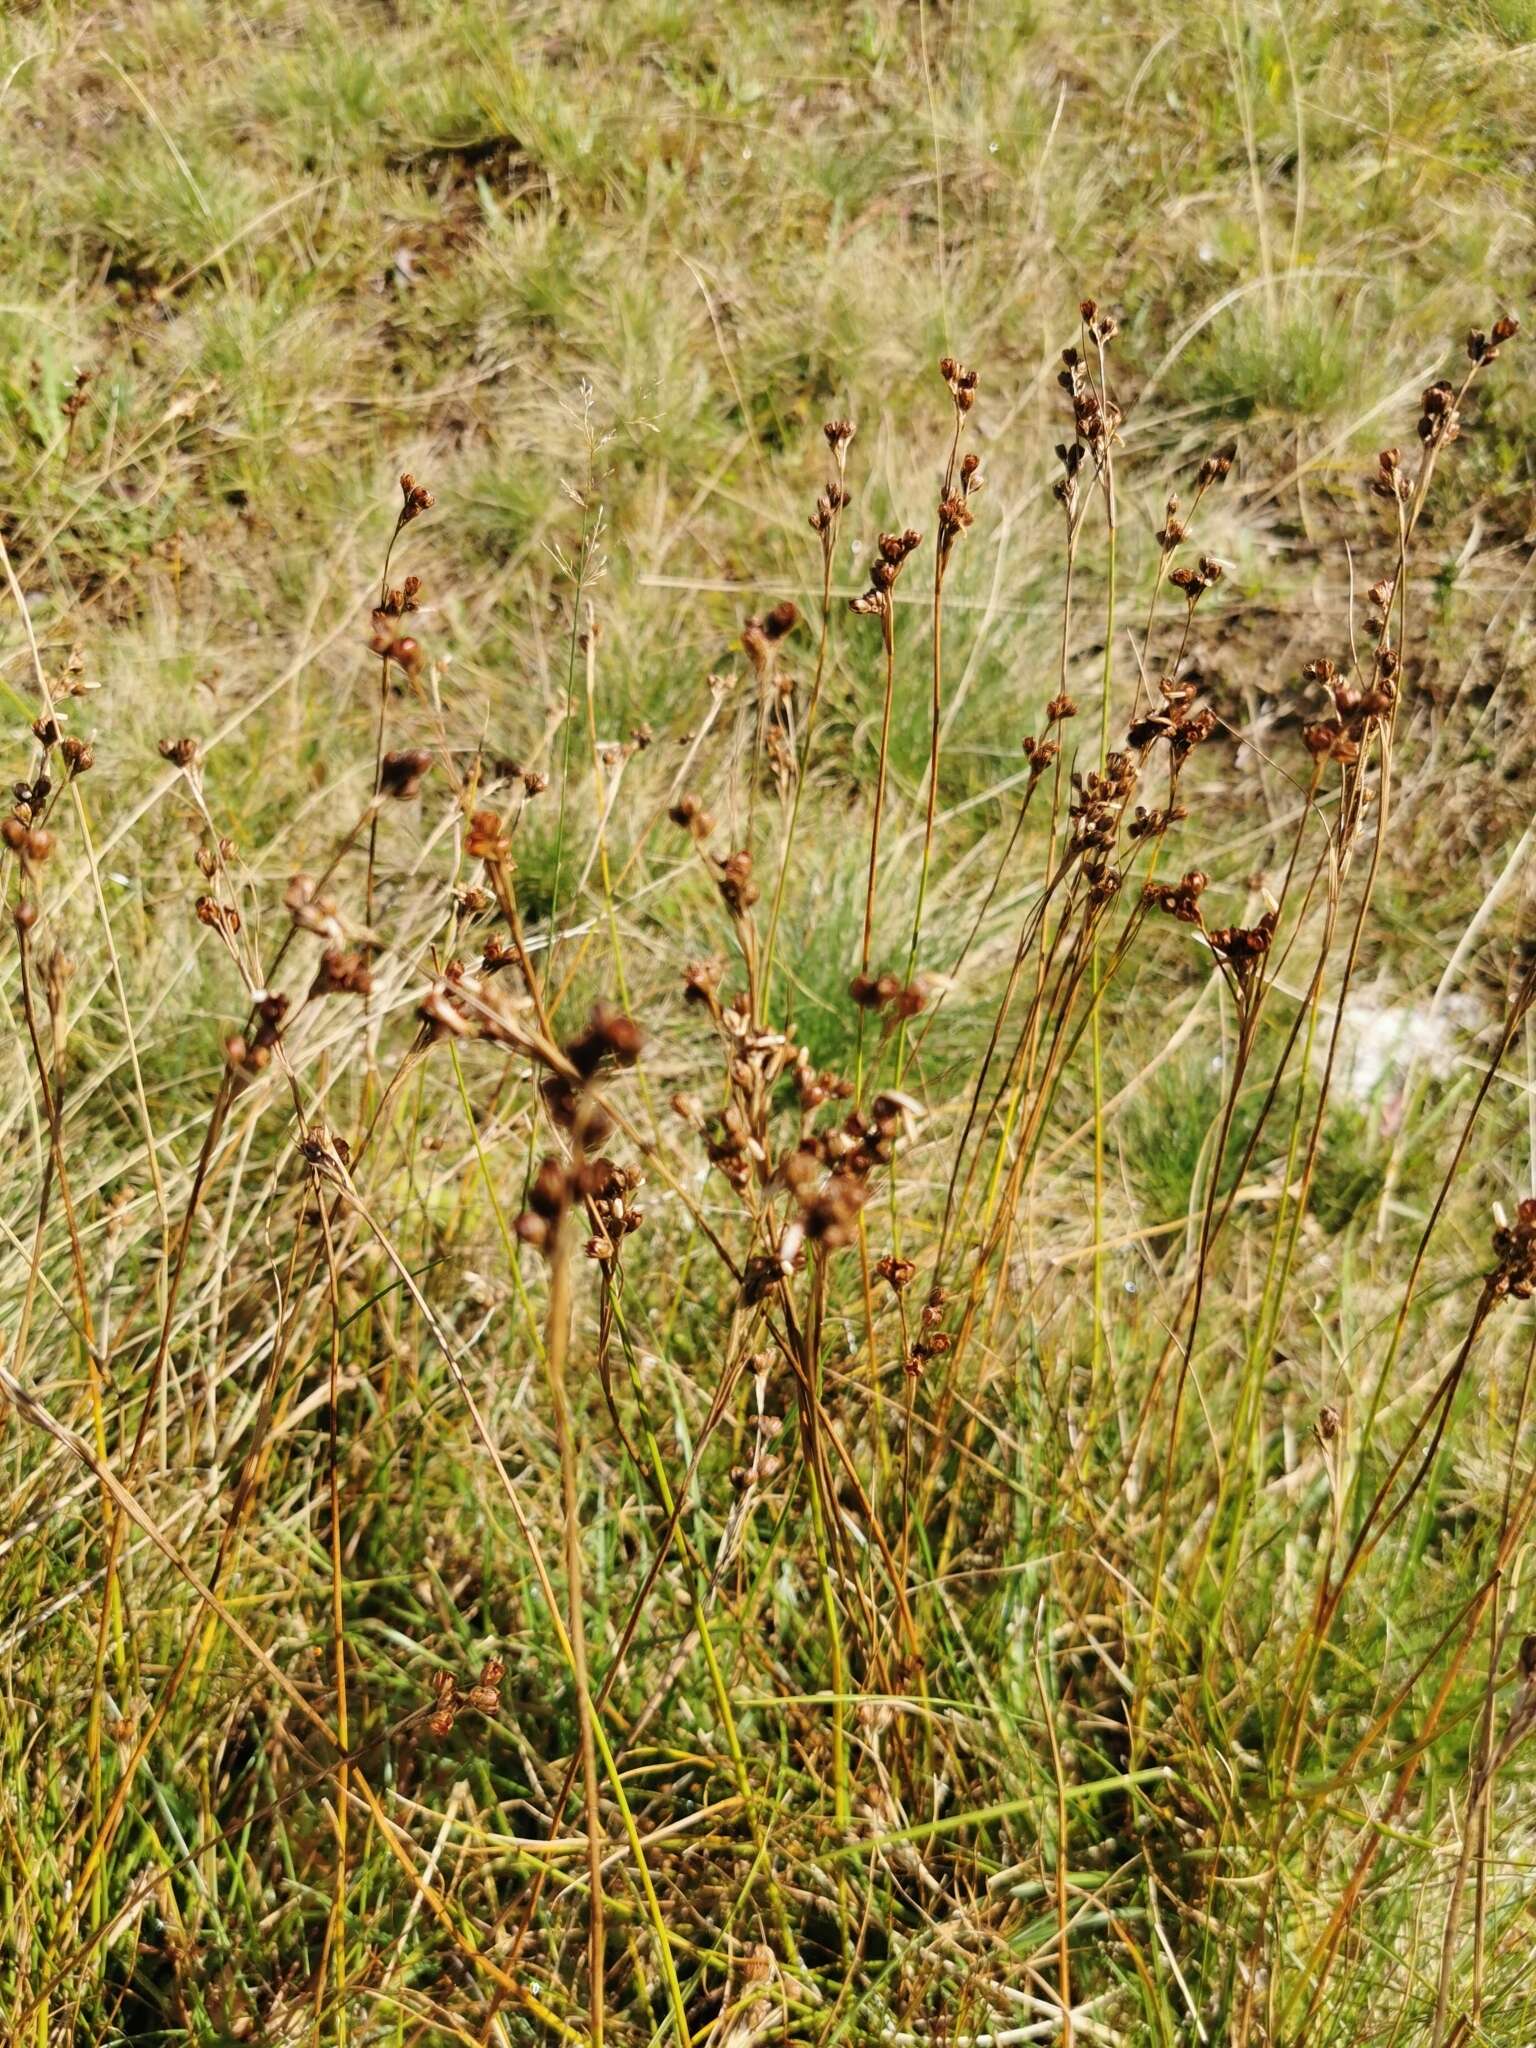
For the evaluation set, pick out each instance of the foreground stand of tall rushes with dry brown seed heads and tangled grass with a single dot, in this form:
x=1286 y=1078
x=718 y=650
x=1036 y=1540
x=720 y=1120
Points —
x=751 y=1404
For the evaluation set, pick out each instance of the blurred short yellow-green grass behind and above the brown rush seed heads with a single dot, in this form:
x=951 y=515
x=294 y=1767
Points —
x=644 y=253
